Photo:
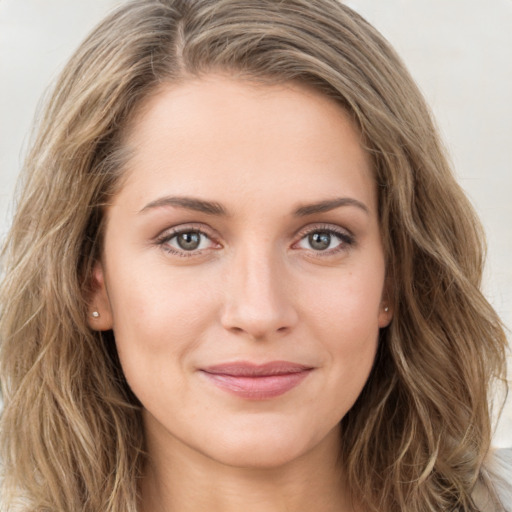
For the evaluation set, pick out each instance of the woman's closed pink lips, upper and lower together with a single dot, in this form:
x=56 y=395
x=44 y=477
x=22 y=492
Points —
x=257 y=382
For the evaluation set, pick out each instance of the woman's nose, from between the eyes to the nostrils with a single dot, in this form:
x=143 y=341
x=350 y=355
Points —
x=258 y=297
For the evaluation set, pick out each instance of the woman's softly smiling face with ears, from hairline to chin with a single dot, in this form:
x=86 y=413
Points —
x=243 y=271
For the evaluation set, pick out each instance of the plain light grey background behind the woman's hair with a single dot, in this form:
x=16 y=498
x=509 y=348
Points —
x=459 y=51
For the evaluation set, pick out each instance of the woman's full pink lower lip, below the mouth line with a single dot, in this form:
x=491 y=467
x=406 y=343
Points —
x=260 y=387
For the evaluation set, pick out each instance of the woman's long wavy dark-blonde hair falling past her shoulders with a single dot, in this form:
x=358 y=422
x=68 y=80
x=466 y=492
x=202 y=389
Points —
x=71 y=435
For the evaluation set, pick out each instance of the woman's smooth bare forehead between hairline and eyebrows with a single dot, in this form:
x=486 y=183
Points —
x=236 y=138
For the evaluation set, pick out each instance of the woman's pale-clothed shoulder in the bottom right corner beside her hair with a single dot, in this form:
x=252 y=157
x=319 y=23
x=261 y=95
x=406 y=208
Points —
x=496 y=478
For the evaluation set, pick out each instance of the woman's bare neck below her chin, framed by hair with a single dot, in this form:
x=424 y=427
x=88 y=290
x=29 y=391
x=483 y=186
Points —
x=179 y=479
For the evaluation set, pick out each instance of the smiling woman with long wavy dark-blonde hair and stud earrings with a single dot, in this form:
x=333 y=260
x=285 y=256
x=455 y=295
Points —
x=241 y=274
